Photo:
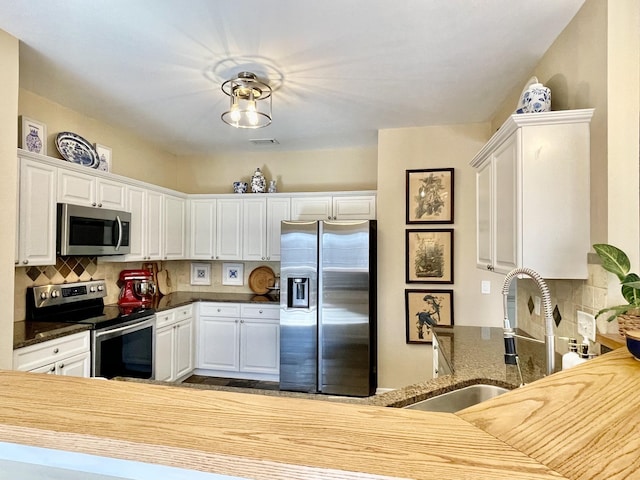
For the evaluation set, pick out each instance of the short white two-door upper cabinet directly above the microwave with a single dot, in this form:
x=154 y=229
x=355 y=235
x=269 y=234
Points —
x=85 y=189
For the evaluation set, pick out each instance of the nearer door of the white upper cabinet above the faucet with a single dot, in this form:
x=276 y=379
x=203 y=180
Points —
x=506 y=206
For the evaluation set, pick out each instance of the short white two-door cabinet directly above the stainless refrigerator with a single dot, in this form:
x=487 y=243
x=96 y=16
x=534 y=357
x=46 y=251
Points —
x=333 y=207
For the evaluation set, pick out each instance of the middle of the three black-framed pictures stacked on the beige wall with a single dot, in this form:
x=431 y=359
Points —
x=429 y=256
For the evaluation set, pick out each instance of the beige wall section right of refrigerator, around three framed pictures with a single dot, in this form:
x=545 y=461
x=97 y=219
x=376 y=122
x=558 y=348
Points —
x=416 y=148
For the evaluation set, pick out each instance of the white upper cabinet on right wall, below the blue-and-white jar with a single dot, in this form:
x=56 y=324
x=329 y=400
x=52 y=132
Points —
x=533 y=200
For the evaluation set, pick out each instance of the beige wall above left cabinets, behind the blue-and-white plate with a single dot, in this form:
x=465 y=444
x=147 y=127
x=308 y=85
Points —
x=131 y=156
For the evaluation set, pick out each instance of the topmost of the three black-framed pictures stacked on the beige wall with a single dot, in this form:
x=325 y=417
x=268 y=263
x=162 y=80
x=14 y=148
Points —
x=430 y=196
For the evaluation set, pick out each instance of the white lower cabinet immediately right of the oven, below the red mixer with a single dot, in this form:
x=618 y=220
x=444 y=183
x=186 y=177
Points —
x=174 y=344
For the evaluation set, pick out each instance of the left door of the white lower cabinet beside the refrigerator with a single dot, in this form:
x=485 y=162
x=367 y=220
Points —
x=218 y=343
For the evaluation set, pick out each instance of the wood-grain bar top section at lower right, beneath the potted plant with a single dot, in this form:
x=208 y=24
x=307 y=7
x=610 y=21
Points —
x=583 y=422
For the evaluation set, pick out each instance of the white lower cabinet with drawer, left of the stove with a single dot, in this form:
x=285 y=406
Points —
x=69 y=355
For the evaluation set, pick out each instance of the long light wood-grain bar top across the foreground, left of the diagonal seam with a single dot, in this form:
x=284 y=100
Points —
x=251 y=435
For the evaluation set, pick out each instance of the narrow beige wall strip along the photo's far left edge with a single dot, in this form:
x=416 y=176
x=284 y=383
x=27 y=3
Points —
x=8 y=189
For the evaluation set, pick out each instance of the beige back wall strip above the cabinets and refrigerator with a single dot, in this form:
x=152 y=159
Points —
x=307 y=171
